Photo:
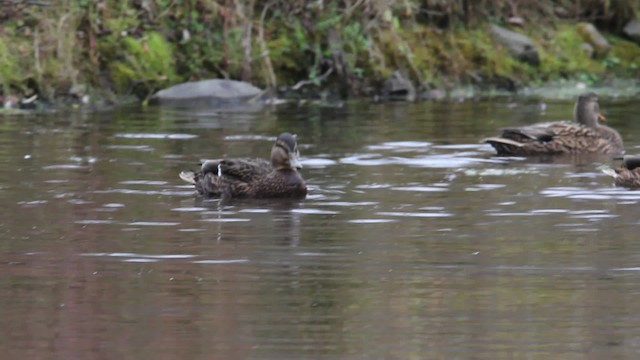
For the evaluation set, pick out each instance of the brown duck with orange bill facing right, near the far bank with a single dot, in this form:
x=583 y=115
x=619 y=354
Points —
x=583 y=136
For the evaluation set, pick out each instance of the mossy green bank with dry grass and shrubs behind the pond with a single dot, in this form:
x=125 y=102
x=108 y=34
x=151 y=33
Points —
x=61 y=48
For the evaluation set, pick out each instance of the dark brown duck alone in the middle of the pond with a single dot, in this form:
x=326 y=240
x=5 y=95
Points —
x=253 y=177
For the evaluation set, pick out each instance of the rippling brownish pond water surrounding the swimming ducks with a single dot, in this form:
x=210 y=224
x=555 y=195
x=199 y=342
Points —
x=414 y=241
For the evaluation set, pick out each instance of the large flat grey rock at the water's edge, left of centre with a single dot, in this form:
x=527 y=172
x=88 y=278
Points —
x=214 y=90
